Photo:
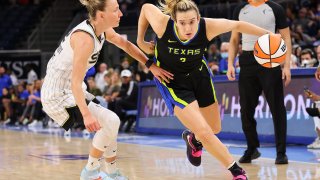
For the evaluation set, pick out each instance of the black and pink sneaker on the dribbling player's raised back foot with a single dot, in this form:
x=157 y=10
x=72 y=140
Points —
x=194 y=151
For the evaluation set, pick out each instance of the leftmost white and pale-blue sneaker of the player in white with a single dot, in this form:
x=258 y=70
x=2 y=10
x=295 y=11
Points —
x=94 y=174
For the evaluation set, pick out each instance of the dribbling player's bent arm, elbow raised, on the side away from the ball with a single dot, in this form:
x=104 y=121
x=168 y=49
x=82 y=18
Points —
x=152 y=15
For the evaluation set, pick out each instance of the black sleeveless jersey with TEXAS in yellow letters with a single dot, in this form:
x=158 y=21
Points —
x=179 y=56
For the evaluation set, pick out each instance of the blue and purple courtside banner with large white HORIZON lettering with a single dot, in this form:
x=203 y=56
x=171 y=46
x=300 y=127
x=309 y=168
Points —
x=154 y=116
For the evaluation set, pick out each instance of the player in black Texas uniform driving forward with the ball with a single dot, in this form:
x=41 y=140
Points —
x=182 y=37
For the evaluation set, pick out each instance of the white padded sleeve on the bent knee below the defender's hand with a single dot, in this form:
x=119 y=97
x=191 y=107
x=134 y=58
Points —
x=109 y=123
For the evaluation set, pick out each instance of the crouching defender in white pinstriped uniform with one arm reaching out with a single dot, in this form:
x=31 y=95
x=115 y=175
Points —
x=63 y=94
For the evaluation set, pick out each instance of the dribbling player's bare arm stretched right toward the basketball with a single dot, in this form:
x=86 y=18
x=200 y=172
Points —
x=216 y=27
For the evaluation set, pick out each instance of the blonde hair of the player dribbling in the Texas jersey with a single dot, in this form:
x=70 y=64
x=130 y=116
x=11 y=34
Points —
x=171 y=7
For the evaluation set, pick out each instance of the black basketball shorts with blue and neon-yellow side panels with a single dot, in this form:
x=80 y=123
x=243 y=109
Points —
x=186 y=88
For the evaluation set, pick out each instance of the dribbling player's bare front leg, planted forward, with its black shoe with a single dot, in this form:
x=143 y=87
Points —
x=192 y=118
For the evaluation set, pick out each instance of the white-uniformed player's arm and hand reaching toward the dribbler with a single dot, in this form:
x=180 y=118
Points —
x=137 y=54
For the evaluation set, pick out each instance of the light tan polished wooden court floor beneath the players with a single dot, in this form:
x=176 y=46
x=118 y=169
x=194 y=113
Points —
x=29 y=156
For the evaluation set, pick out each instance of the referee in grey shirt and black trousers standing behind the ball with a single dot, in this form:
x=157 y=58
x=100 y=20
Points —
x=255 y=79
